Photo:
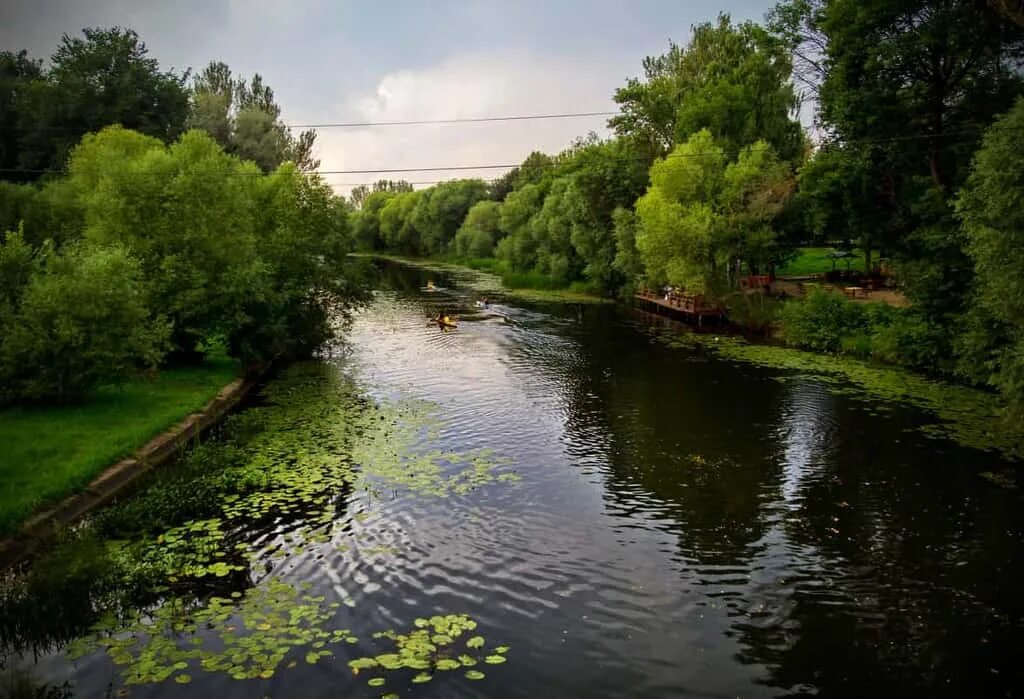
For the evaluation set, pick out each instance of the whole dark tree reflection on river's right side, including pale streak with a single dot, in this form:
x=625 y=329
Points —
x=878 y=565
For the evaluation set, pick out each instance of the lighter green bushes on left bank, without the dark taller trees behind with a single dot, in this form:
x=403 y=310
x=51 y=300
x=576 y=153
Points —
x=178 y=248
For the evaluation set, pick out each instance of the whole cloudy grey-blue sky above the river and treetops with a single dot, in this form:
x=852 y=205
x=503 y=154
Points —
x=348 y=61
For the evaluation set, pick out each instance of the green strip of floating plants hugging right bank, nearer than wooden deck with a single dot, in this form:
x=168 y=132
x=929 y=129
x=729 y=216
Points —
x=969 y=417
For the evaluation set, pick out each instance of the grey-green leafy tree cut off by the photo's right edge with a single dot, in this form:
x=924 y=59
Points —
x=994 y=219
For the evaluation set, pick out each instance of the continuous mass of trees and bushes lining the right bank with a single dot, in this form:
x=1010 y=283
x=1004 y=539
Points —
x=709 y=178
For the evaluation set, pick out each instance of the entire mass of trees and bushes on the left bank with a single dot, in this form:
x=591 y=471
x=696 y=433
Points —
x=150 y=221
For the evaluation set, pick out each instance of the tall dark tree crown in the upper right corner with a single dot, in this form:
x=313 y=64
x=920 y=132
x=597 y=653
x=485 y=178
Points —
x=921 y=79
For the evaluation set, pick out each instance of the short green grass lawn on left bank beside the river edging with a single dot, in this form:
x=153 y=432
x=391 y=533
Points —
x=52 y=452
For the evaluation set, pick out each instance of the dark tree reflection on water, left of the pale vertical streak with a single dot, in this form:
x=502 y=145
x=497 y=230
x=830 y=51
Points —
x=691 y=433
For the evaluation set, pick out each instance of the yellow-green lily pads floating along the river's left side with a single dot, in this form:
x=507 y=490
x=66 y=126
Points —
x=294 y=463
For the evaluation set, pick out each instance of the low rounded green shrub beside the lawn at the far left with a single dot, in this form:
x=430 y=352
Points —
x=81 y=322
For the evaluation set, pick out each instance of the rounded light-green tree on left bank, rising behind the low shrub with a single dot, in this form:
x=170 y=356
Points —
x=187 y=213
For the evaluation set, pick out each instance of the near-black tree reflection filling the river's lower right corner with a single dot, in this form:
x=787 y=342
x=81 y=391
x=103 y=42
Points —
x=888 y=576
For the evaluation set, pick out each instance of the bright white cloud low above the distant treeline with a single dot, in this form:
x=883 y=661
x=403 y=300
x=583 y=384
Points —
x=467 y=85
